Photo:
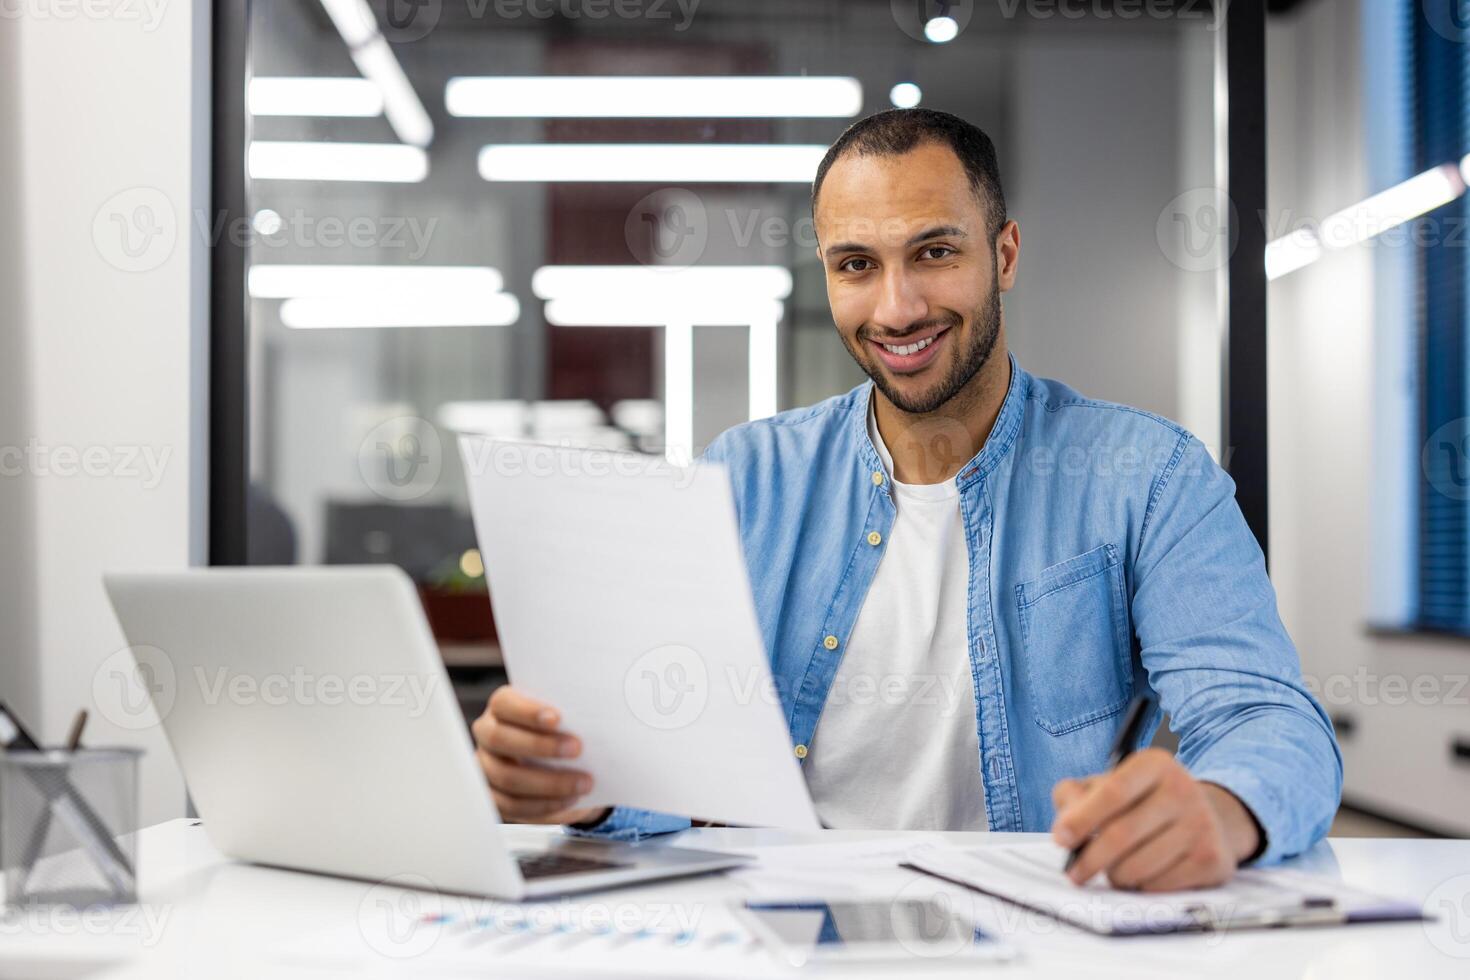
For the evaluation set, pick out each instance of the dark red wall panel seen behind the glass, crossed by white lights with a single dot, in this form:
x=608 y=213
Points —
x=587 y=220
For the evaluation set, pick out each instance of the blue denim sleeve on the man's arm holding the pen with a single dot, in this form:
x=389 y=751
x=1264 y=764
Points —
x=1222 y=663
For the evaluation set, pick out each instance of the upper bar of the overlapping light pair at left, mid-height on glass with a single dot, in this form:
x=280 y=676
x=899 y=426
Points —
x=446 y=283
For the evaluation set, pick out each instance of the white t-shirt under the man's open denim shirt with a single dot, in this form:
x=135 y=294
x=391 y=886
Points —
x=896 y=747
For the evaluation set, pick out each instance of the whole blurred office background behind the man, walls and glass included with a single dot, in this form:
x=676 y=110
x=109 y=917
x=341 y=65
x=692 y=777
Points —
x=480 y=273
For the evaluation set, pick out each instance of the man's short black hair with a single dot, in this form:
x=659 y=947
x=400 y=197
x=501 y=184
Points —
x=897 y=131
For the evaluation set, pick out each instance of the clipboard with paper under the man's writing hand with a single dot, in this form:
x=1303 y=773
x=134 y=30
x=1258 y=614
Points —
x=1256 y=898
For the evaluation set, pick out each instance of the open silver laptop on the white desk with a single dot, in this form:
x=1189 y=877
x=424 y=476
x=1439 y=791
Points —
x=318 y=731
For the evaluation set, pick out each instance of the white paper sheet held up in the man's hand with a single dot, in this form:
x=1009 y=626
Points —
x=621 y=597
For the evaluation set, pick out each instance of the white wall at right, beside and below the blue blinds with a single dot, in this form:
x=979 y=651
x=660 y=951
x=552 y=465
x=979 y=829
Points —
x=1330 y=399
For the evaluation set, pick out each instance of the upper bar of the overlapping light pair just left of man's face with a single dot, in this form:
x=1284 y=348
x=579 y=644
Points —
x=653 y=284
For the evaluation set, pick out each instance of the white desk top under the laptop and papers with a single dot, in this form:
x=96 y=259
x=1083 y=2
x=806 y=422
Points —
x=207 y=918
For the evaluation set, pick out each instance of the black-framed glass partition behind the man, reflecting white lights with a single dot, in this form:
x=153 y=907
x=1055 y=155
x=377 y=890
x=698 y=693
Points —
x=589 y=223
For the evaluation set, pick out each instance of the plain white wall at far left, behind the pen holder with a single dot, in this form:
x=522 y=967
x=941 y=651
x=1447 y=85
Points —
x=104 y=352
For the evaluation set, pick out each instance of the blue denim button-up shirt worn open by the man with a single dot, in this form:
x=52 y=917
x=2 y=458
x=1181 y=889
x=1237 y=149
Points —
x=1108 y=556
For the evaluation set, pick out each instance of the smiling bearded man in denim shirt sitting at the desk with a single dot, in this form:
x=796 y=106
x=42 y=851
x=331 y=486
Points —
x=965 y=572
